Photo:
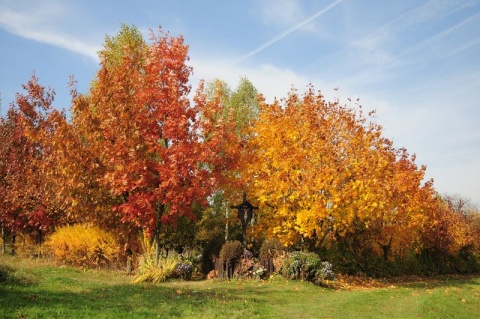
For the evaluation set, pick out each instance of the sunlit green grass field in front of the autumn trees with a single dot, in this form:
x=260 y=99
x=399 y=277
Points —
x=32 y=289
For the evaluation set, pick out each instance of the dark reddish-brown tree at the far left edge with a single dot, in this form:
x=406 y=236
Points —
x=28 y=193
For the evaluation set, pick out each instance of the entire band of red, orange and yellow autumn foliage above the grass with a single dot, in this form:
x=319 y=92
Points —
x=141 y=155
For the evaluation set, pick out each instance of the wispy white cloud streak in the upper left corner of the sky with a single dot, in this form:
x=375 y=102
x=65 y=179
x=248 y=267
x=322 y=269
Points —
x=38 y=23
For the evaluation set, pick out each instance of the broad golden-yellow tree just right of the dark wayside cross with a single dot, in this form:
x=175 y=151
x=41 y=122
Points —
x=321 y=170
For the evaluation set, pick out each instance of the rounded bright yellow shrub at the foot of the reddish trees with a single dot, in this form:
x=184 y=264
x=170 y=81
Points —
x=80 y=245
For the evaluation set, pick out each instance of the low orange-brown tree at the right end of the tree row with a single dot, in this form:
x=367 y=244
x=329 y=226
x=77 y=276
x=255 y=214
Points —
x=416 y=219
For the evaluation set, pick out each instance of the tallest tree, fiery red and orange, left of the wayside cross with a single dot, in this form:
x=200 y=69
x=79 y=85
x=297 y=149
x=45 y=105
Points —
x=160 y=152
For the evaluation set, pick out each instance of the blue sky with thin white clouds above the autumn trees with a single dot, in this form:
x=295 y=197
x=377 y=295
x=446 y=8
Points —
x=416 y=62
